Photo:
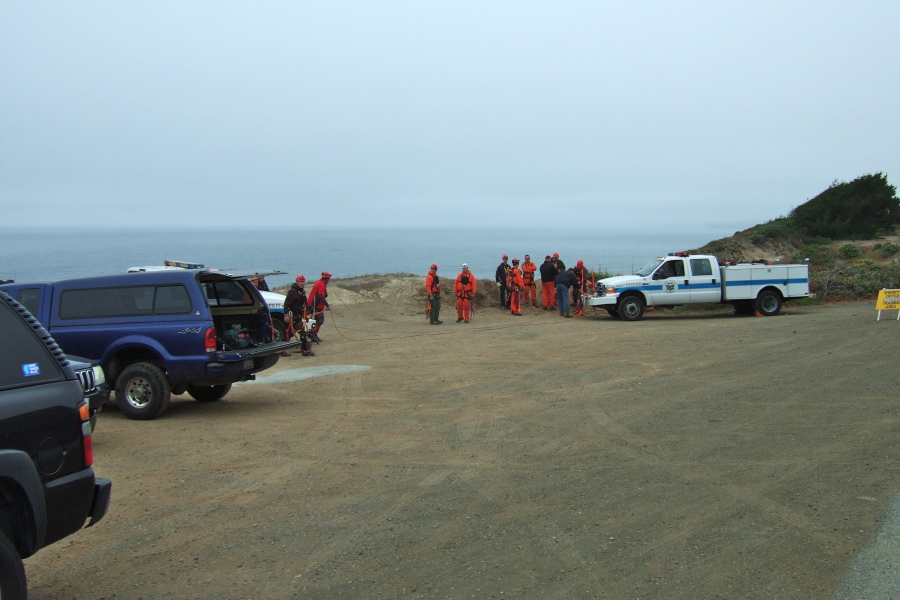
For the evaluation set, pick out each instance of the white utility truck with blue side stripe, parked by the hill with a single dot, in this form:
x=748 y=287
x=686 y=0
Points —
x=684 y=278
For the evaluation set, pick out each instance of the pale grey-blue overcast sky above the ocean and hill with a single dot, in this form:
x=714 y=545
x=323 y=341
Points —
x=466 y=113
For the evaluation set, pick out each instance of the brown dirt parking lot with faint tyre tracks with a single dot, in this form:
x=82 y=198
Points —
x=688 y=455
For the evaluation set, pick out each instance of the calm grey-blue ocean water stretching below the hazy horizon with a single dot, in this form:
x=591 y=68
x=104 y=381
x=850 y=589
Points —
x=49 y=255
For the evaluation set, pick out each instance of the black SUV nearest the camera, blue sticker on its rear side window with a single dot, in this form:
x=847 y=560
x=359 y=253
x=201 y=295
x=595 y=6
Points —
x=47 y=486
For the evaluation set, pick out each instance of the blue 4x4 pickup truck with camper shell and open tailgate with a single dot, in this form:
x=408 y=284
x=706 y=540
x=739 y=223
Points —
x=160 y=333
